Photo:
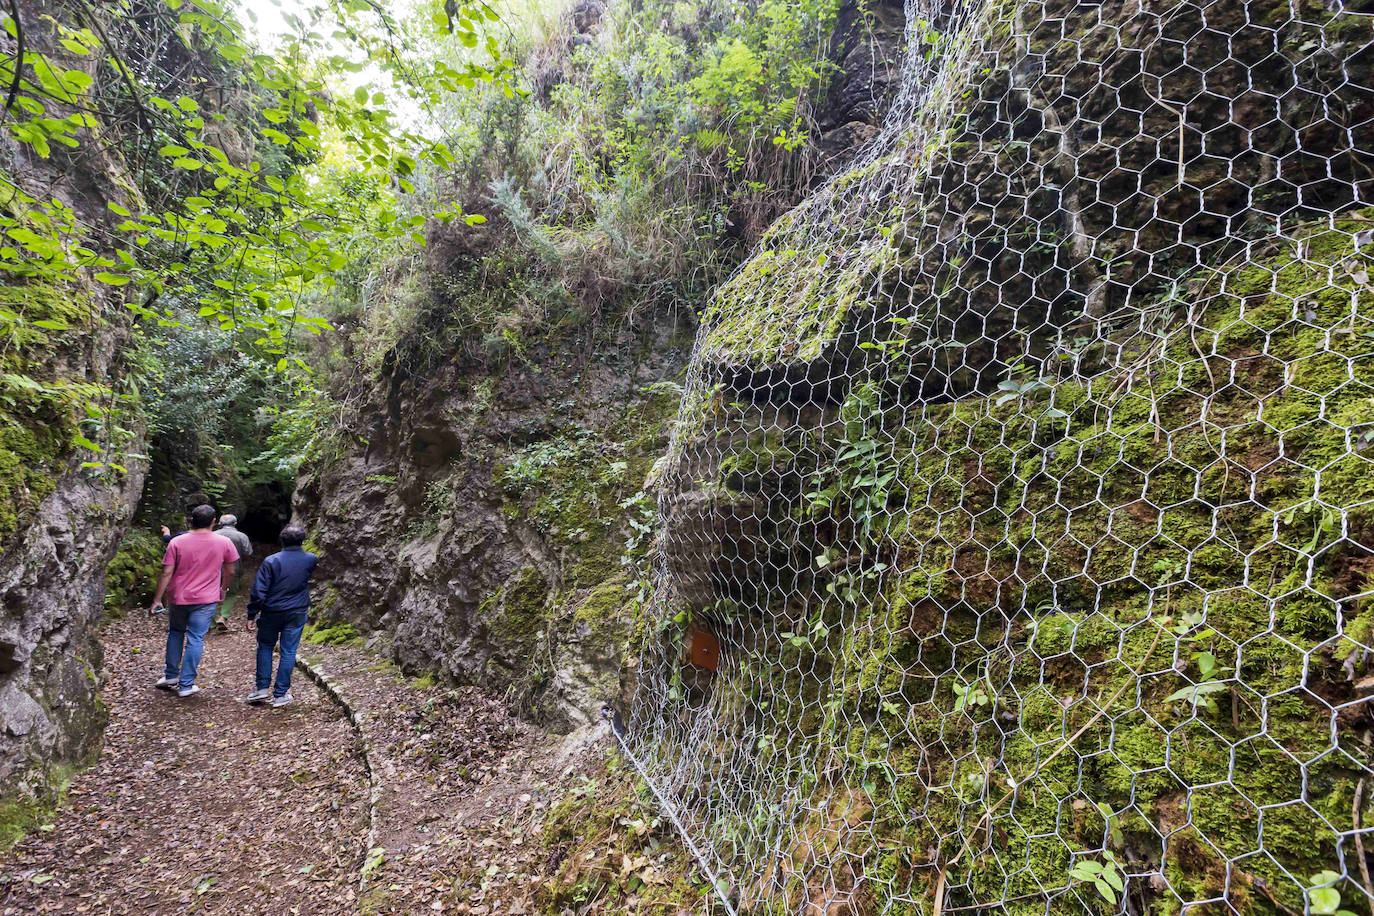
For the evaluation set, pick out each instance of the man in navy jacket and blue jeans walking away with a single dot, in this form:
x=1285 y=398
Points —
x=278 y=609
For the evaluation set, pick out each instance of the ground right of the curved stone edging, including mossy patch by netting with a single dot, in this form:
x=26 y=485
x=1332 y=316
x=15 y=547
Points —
x=480 y=814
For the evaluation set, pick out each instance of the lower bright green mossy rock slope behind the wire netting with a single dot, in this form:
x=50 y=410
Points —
x=1115 y=615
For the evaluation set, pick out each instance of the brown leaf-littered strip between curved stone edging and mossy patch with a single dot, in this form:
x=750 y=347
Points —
x=464 y=790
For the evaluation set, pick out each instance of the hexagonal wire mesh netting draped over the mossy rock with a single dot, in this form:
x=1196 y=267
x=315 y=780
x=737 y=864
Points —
x=1019 y=524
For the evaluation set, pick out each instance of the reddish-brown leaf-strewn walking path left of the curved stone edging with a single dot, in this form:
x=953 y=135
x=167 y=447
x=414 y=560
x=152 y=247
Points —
x=204 y=804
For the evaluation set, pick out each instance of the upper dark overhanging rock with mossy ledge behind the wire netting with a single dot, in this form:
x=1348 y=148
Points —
x=1023 y=178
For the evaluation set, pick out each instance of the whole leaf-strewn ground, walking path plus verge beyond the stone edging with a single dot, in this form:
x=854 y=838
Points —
x=211 y=807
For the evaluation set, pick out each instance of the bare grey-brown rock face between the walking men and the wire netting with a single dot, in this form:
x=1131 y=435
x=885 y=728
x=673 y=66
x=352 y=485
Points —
x=483 y=525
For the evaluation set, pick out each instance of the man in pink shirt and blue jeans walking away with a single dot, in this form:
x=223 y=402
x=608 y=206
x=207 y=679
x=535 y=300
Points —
x=197 y=568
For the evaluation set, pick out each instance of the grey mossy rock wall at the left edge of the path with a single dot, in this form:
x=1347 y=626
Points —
x=60 y=524
